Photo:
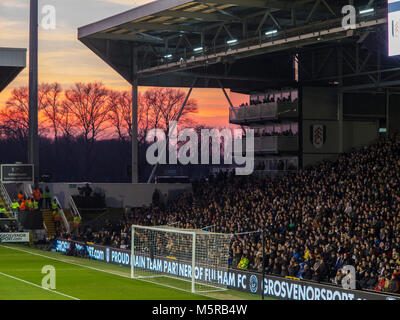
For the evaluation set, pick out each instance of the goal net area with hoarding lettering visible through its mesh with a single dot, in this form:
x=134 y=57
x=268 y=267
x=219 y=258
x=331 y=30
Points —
x=190 y=260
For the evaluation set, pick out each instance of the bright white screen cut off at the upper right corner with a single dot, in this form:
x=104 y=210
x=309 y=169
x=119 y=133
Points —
x=393 y=27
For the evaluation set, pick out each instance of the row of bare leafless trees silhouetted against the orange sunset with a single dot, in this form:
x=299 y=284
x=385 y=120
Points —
x=75 y=126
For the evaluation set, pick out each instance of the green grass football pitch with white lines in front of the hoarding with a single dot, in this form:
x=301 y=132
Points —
x=80 y=279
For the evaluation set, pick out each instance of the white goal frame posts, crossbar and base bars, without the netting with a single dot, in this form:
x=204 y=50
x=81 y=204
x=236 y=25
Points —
x=190 y=232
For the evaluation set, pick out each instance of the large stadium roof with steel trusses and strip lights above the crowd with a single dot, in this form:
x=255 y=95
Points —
x=247 y=44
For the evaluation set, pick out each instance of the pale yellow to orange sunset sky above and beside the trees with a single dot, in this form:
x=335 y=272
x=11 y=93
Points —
x=64 y=59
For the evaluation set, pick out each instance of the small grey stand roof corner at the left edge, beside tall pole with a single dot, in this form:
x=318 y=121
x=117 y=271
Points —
x=12 y=62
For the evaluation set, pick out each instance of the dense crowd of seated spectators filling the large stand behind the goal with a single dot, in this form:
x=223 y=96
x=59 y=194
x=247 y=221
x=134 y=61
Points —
x=316 y=220
